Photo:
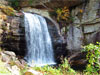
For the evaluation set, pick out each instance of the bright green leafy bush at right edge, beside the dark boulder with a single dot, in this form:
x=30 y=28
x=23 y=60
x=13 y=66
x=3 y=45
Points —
x=93 y=56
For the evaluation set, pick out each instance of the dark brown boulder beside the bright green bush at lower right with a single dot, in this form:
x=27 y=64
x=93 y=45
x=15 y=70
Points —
x=78 y=60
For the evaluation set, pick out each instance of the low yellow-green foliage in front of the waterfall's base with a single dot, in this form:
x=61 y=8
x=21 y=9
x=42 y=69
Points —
x=63 y=69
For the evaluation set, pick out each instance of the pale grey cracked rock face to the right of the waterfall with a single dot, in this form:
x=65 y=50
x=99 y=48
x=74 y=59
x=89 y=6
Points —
x=86 y=25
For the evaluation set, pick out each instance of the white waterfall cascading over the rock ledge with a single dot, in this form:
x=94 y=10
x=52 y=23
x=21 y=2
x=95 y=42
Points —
x=39 y=45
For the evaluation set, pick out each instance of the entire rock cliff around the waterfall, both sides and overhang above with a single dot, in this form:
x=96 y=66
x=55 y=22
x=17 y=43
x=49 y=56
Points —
x=85 y=28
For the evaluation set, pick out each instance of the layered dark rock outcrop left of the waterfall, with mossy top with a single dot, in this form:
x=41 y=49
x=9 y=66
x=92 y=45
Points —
x=11 y=31
